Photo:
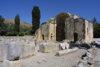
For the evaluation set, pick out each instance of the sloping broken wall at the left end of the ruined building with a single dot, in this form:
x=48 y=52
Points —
x=43 y=32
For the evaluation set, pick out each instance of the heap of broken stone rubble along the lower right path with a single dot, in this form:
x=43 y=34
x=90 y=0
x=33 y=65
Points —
x=87 y=59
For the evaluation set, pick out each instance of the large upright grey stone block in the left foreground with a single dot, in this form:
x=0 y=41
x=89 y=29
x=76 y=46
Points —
x=13 y=51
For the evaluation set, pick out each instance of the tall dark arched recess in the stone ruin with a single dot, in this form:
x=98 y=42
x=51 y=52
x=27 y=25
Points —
x=60 y=28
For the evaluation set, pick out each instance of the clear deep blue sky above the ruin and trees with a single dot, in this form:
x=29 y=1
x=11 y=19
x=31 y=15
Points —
x=49 y=8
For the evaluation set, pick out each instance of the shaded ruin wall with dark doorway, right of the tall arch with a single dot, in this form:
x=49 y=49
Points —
x=75 y=29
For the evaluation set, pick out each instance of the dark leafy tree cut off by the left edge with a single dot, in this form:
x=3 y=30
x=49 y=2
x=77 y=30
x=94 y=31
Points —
x=3 y=27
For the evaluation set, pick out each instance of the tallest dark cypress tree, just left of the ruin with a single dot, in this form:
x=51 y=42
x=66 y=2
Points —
x=35 y=18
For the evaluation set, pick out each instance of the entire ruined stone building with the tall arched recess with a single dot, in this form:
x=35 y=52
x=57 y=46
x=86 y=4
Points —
x=66 y=27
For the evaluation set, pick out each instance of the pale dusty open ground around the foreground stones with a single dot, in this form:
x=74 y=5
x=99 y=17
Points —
x=50 y=60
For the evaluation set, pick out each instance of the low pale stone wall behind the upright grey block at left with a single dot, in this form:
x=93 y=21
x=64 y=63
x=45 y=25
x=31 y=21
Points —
x=27 y=47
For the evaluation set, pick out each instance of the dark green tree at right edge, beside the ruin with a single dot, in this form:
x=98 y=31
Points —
x=96 y=28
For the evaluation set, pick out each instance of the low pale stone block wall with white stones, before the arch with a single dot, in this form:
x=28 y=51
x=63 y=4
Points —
x=50 y=46
